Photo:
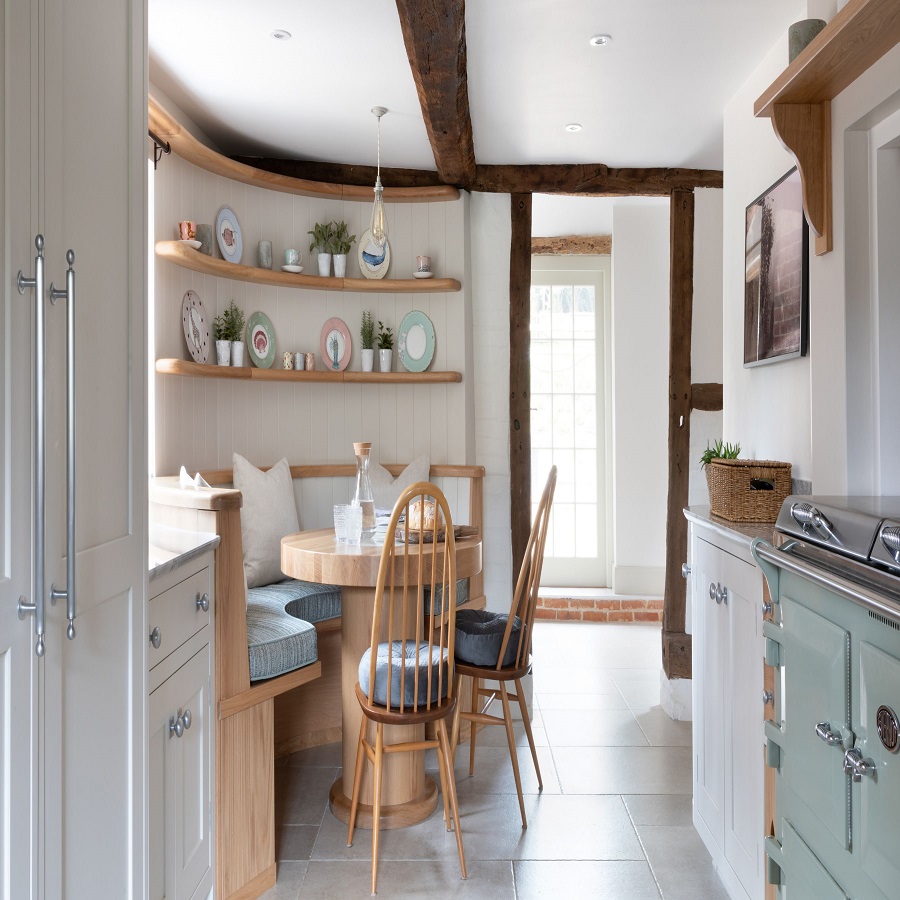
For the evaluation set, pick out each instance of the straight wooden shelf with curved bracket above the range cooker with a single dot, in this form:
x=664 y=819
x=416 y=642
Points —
x=799 y=100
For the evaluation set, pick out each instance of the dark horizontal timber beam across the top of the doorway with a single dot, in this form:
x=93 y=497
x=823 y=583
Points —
x=595 y=180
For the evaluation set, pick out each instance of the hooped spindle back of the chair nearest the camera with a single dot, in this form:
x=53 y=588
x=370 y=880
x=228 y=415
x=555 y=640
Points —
x=414 y=559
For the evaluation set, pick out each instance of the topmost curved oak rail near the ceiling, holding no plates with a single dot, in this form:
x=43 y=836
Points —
x=182 y=142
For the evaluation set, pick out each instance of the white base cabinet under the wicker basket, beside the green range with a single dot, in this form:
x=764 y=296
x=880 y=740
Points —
x=726 y=591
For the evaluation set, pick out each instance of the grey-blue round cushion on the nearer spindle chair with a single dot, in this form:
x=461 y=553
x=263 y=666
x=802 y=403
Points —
x=391 y=655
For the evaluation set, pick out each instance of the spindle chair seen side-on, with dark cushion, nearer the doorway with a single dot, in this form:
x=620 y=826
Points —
x=497 y=647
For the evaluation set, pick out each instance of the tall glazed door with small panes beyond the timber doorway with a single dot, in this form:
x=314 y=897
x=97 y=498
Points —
x=570 y=406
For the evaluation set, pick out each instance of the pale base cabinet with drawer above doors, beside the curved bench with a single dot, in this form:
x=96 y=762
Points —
x=181 y=732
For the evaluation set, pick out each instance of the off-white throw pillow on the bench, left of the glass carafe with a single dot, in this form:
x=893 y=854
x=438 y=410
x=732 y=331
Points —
x=268 y=514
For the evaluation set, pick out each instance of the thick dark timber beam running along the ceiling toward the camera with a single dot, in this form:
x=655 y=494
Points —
x=435 y=36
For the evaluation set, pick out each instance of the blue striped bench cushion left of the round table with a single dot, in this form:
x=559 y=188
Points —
x=280 y=636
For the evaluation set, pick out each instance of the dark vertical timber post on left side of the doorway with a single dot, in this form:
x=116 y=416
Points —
x=520 y=376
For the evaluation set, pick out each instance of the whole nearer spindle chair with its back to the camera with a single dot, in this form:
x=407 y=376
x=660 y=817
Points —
x=406 y=676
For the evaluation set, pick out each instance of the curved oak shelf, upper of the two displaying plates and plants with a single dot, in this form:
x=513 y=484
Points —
x=183 y=255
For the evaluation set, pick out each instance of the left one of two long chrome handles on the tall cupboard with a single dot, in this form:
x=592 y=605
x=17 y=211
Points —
x=37 y=607
